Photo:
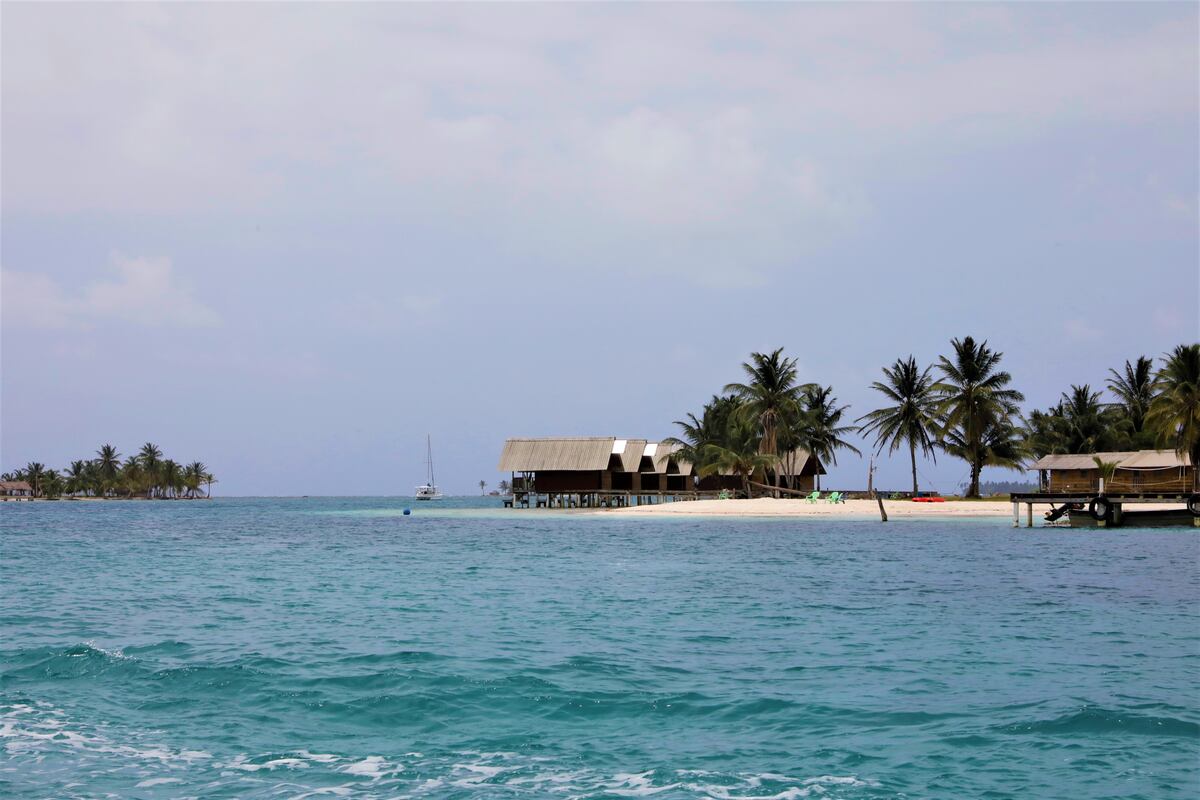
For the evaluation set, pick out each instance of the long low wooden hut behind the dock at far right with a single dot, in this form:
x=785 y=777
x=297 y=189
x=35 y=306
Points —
x=1139 y=472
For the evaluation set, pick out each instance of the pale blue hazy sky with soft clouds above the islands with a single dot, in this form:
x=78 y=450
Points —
x=293 y=240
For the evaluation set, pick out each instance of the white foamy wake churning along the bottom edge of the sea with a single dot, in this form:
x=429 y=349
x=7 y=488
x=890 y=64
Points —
x=34 y=732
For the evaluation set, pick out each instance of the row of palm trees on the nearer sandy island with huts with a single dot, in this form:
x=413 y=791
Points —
x=962 y=406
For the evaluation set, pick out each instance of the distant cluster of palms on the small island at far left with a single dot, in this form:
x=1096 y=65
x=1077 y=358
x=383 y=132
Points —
x=145 y=476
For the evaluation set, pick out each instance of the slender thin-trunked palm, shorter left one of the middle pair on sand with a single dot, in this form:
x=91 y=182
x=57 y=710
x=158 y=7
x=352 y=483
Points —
x=913 y=420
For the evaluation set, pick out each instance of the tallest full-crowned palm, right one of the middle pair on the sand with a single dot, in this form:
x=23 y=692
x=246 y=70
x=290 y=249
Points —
x=975 y=402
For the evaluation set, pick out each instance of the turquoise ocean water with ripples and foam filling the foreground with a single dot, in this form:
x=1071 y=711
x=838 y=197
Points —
x=304 y=648
